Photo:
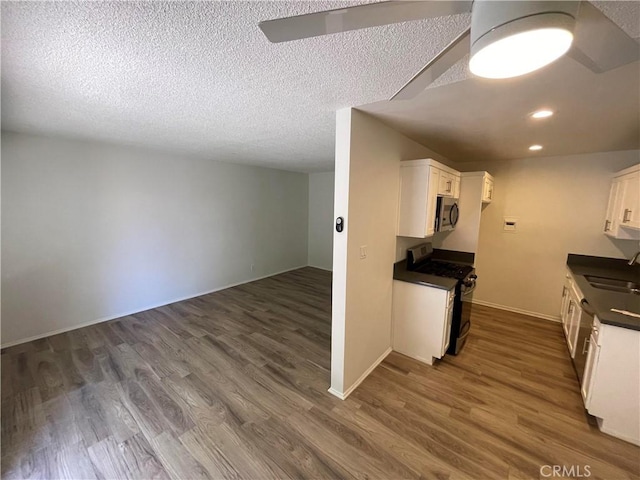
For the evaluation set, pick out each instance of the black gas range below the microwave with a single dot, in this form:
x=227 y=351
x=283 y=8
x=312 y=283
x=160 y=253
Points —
x=421 y=259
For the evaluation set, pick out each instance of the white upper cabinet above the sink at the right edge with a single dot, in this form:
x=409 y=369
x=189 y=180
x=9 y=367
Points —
x=623 y=209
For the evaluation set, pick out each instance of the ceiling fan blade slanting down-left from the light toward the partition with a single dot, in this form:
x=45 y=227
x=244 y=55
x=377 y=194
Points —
x=448 y=57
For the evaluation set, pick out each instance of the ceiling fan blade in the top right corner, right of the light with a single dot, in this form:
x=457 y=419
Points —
x=599 y=44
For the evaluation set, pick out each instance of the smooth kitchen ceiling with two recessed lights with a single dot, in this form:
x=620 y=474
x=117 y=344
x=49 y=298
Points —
x=480 y=119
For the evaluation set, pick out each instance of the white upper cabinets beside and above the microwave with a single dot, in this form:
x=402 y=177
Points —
x=421 y=182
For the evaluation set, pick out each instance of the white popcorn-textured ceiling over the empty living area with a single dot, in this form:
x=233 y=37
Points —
x=200 y=78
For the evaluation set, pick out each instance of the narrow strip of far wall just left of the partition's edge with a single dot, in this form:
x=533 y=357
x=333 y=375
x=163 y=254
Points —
x=321 y=221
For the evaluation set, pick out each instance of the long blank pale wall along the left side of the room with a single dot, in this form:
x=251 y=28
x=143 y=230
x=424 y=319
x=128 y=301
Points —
x=92 y=231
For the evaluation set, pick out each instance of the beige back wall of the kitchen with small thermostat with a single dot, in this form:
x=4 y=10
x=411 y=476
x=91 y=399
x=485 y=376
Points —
x=560 y=203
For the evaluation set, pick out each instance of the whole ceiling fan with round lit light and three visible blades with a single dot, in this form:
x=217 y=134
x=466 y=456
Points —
x=505 y=39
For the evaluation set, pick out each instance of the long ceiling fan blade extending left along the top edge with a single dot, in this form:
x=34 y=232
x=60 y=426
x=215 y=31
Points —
x=354 y=18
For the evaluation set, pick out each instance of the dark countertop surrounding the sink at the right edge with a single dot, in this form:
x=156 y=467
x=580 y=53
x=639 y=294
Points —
x=602 y=301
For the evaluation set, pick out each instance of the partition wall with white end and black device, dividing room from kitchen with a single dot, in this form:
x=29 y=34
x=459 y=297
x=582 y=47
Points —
x=367 y=181
